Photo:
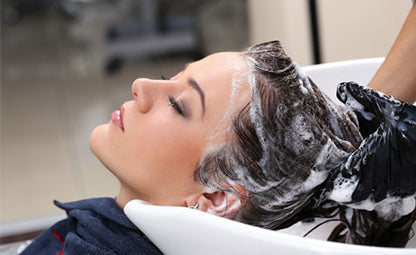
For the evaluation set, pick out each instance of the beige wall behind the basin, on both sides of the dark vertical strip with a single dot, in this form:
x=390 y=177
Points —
x=349 y=29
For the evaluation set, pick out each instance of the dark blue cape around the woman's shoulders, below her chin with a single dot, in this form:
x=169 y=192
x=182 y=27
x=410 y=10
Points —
x=93 y=226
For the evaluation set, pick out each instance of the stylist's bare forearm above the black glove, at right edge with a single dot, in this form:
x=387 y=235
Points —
x=397 y=75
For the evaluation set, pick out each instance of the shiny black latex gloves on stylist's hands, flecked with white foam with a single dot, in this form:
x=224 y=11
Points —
x=385 y=162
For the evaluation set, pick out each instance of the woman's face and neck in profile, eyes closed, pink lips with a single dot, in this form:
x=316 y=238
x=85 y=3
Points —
x=154 y=143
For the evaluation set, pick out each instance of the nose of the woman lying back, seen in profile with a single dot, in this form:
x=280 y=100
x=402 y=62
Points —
x=147 y=92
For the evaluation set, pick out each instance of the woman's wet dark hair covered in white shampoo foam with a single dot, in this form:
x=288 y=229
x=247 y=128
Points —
x=284 y=142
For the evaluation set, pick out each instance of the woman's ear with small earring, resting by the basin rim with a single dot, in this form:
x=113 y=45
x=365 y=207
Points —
x=220 y=203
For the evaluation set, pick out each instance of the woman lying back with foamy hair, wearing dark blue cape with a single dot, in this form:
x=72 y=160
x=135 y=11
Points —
x=238 y=134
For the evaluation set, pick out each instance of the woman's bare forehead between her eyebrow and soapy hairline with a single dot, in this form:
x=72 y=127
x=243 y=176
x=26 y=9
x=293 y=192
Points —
x=224 y=79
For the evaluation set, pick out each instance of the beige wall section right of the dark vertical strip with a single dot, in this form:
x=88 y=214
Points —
x=353 y=29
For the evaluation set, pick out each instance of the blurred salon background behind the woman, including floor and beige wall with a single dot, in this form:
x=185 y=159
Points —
x=66 y=65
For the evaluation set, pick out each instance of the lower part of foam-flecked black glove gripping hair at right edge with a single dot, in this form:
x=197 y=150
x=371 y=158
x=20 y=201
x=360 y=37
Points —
x=384 y=164
